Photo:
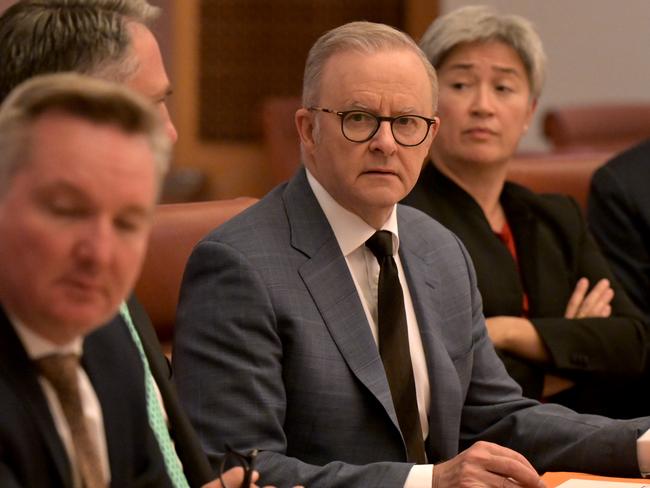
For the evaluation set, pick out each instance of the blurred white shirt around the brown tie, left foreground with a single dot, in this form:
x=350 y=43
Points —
x=38 y=347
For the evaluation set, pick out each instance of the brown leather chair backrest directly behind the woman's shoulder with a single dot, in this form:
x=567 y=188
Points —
x=568 y=173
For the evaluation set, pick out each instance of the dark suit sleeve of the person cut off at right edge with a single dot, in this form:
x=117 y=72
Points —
x=617 y=226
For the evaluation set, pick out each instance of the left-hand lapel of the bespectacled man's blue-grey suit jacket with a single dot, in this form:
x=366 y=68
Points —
x=327 y=277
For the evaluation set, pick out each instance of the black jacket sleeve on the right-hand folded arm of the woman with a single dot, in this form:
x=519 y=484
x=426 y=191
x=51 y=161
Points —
x=611 y=346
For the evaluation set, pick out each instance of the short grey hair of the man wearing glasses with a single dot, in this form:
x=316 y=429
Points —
x=363 y=37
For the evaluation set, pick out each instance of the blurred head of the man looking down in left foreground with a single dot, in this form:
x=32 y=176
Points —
x=81 y=163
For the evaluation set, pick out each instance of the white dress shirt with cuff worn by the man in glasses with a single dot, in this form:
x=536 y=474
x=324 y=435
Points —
x=351 y=233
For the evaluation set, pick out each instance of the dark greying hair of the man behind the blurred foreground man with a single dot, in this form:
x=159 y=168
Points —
x=86 y=36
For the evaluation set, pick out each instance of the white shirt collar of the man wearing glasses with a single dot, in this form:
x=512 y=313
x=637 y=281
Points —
x=350 y=230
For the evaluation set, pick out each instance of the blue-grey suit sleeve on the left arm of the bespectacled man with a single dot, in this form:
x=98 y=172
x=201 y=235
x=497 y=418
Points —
x=228 y=365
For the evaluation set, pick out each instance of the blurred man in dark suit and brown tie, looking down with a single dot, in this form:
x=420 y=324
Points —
x=81 y=166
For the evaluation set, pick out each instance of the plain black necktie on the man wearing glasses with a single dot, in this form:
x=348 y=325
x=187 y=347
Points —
x=394 y=345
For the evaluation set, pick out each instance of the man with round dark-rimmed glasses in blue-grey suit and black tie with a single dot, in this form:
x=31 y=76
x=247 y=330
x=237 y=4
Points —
x=279 y=323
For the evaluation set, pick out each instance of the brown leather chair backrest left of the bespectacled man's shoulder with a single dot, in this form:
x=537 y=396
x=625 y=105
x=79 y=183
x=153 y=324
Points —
x=177 y=228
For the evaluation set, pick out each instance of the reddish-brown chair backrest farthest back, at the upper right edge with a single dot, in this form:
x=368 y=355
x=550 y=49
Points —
x=611 y=127
